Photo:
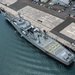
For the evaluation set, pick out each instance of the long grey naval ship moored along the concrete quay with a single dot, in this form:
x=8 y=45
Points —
x=39 y=38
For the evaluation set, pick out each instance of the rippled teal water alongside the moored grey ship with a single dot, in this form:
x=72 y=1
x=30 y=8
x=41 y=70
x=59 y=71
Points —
x=19 y=57
